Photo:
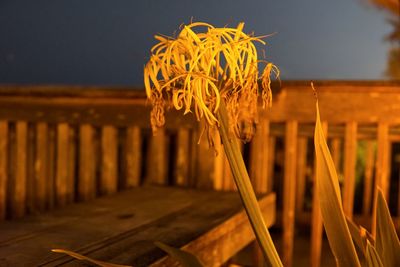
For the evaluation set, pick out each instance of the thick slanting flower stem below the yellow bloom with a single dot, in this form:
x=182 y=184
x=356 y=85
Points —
x=242 y=180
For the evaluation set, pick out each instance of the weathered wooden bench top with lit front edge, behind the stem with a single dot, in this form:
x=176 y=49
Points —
x=123 y=227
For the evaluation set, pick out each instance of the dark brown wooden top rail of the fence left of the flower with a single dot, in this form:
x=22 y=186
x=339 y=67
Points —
x=78 y=105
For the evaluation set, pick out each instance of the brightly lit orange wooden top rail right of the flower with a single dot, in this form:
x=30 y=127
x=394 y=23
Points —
x=339 y=102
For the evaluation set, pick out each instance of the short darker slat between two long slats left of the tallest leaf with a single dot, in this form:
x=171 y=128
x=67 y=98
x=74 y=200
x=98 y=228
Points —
x=301 y=173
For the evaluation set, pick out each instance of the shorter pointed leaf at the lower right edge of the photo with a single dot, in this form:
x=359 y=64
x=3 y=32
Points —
x=387 y=241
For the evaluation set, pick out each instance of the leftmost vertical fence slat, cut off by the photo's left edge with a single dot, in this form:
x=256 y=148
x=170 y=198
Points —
x=3 y=168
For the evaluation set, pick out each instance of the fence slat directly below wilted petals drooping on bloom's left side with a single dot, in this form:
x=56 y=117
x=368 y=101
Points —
x=182 y=157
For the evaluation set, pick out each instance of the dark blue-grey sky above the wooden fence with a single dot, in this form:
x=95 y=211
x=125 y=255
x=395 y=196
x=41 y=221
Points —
x=106 y=42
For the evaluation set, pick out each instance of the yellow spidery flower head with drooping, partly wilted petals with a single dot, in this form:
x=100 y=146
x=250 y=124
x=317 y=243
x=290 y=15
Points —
x=203 y=66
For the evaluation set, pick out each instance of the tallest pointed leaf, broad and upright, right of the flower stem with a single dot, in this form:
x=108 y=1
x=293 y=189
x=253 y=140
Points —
x=330 y=202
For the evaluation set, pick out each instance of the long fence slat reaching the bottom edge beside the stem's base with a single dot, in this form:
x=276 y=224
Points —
x=289 y=191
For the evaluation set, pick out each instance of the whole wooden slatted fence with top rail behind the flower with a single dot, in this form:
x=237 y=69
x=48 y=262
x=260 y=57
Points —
x=60 y=145
